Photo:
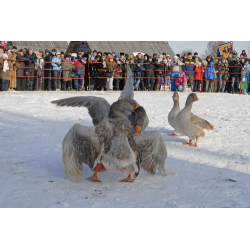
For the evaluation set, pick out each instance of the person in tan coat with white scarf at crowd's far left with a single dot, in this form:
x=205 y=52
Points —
x=5 y=68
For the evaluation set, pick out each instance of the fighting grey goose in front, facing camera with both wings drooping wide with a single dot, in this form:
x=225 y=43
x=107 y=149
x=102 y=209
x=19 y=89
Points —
x=113 y=142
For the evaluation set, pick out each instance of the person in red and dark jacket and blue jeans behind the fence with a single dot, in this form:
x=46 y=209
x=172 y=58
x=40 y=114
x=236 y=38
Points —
x=79 y=66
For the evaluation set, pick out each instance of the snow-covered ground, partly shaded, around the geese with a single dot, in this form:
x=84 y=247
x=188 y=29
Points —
x=216 y=174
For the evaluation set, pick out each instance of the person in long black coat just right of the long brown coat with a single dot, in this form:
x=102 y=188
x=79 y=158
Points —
x=30 y=72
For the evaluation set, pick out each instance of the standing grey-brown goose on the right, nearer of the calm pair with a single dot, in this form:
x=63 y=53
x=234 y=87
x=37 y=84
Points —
x=191 y=125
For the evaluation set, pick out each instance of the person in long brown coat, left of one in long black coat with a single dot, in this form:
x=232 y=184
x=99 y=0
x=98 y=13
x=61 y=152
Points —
x=20 y=72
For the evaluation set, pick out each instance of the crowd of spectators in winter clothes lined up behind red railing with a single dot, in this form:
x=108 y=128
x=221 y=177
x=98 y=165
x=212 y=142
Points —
x=26 y=70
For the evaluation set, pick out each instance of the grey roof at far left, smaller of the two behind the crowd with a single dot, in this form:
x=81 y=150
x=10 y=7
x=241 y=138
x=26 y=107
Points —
x=40 y=45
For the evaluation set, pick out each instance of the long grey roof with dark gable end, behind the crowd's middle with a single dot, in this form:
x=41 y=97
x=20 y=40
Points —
x=148 y=47
